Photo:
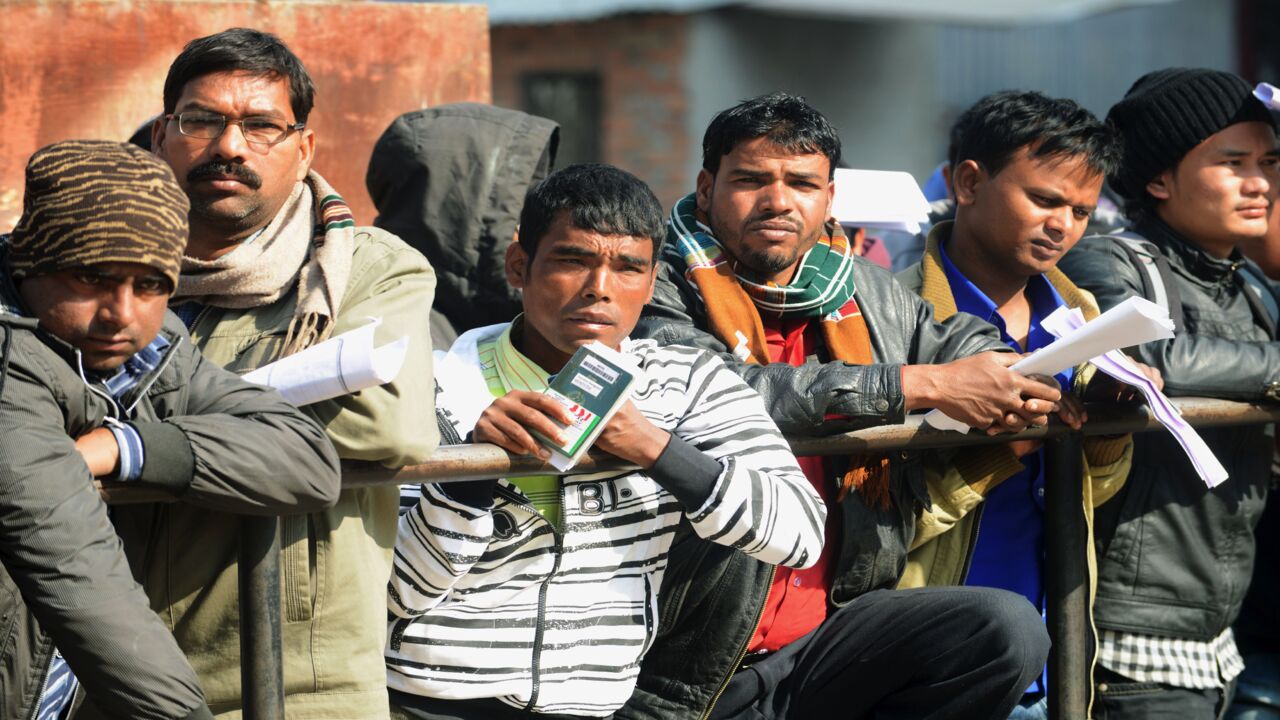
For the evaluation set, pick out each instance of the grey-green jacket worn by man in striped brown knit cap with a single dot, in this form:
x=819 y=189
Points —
x=66 y=580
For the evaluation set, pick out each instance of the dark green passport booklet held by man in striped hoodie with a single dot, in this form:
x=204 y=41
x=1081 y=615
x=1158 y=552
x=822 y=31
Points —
x=593 y=385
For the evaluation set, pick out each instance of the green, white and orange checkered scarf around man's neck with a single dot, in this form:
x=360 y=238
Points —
x=822 y=289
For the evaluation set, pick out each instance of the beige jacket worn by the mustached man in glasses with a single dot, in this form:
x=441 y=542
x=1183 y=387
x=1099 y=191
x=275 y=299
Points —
x=335 y=564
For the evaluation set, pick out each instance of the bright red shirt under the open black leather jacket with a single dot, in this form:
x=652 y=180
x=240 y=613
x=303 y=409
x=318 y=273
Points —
x=798 y=599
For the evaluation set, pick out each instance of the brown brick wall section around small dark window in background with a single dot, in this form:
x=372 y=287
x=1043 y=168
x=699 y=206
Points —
x=641 y=63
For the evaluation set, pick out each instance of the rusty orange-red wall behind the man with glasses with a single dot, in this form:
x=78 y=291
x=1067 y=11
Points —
x=89 y=70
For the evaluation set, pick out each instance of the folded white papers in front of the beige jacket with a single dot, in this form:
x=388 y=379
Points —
x=341 y=366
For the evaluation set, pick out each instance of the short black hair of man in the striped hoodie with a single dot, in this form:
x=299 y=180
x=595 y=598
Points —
x=601 y=199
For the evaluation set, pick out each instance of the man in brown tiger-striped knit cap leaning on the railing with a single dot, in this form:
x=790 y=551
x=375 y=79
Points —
x=98 y=380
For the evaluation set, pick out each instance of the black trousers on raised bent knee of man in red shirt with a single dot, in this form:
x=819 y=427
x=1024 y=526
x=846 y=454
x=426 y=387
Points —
x=912 y=655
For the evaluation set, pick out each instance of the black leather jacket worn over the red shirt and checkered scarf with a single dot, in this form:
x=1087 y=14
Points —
x=714 y=596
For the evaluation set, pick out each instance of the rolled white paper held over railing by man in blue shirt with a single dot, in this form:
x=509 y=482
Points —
x=1133 y=322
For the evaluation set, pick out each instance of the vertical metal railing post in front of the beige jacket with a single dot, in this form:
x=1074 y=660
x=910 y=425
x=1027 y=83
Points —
x=262 y=660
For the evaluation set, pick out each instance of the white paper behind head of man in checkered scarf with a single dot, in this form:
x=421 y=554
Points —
x=880 y=200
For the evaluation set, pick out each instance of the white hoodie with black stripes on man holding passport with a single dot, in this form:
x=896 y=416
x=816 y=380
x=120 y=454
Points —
x=493 y=603
